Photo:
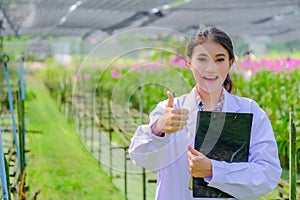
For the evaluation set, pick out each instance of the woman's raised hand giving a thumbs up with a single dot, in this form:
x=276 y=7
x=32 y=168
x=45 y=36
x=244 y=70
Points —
x=173 y=119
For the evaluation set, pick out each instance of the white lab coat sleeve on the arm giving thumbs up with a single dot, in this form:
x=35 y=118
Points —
x=146 y=149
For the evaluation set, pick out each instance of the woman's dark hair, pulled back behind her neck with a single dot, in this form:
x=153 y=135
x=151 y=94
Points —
x=206 y=33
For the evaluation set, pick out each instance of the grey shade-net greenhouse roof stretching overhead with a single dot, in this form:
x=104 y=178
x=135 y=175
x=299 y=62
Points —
x=275 y=19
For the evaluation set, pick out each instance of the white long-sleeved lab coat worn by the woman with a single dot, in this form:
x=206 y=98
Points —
x=168 y=154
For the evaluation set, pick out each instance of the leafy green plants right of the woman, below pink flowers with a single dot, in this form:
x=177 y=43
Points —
x=277 y=94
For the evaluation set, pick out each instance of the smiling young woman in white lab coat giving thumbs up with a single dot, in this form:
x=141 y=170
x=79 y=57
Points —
x=165 y=145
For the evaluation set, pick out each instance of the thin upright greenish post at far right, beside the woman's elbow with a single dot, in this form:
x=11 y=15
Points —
x=293 y=159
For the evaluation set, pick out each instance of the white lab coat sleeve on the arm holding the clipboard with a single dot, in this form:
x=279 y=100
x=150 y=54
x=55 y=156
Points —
x=260 y=174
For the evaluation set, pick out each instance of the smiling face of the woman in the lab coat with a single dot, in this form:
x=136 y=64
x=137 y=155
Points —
x=210 y=65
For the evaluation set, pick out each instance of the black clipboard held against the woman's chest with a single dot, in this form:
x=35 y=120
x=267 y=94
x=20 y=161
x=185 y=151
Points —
x=222 y=136
